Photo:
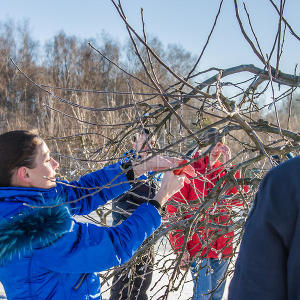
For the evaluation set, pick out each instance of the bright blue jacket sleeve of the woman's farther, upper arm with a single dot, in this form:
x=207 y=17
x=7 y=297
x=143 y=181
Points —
x=94 y=189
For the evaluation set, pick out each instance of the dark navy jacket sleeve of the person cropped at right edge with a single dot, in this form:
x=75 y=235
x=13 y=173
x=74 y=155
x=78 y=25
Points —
x=261 y=268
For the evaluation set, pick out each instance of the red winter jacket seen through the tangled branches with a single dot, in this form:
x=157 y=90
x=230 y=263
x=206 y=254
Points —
x=193 y=194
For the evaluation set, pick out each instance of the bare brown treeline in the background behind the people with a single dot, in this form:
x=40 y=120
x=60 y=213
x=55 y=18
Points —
x=80 y=91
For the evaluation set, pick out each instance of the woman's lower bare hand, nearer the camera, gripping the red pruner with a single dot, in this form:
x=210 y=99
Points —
x=170 y=185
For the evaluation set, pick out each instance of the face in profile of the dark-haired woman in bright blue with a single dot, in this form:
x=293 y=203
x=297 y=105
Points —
x=43 y=174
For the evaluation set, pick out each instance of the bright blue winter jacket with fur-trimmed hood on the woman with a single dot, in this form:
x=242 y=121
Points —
x=46 y=254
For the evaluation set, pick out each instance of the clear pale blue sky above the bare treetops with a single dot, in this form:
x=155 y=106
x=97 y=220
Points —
x=183 y=22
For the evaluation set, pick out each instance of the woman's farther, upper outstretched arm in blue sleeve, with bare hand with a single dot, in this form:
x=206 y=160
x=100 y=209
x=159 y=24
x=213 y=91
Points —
x=96 y=188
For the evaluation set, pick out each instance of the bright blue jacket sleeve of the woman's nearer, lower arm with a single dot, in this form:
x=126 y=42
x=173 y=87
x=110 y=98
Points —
x=88 y=248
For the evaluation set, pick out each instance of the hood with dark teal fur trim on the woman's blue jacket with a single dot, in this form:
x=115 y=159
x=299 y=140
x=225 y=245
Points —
x=23 y=228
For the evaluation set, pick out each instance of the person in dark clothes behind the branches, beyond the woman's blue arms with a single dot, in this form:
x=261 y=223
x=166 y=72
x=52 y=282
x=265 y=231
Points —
x=134 y=286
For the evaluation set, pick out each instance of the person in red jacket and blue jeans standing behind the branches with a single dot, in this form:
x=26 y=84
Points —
x=205 y=248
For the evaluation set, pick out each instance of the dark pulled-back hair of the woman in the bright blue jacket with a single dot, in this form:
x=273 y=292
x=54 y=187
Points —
x=17 y=148
